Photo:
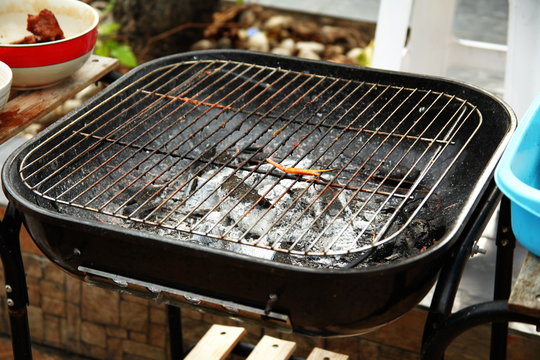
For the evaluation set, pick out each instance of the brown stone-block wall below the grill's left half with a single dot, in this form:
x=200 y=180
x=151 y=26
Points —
x=67 y=314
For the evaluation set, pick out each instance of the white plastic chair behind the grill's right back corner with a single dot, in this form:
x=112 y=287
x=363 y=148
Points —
x=433 y=49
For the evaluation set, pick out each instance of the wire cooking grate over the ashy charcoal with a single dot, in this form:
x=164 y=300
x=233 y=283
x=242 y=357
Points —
x=182 y=151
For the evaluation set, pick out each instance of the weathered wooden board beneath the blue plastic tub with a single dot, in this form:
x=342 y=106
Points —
x=525 y=296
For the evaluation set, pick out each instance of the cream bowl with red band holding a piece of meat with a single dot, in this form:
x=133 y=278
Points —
x=45 y=64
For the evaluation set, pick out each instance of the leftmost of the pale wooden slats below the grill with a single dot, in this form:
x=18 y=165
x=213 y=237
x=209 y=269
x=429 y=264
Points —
x=217 y=343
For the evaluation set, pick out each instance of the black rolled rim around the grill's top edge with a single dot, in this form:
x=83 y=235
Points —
x=444 y=242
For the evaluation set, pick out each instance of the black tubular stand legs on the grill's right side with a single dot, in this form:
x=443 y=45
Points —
x=441 y=326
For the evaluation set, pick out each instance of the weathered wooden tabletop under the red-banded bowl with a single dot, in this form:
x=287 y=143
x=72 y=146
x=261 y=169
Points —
x=27 y=107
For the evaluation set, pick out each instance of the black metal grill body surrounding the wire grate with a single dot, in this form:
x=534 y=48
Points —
x=315 y=301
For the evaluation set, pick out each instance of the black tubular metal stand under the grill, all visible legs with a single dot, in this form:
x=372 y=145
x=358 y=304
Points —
x=441 y=325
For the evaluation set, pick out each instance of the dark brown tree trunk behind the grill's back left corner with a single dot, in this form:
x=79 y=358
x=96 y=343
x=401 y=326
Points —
x=161 y=27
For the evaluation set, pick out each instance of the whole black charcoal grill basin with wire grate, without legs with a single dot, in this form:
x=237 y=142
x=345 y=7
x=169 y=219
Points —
x=160 y=185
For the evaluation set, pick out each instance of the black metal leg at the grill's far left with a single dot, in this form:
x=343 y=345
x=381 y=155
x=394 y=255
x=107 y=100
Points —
x=15 y=287
